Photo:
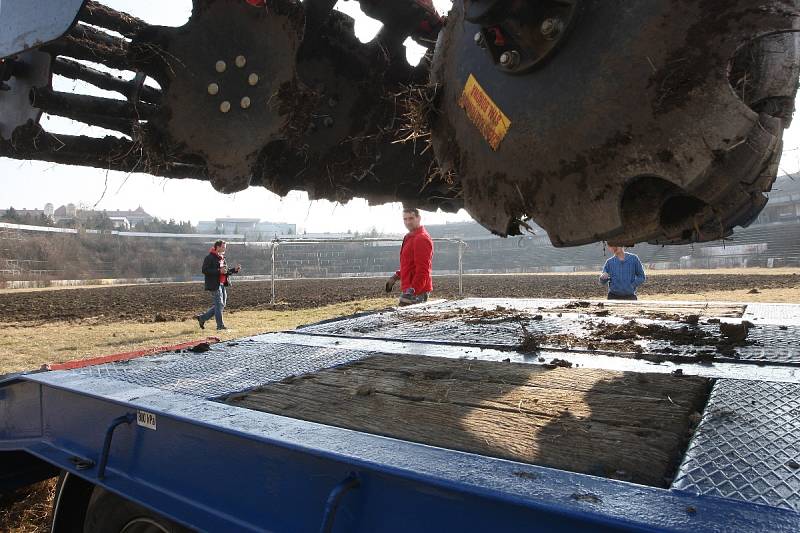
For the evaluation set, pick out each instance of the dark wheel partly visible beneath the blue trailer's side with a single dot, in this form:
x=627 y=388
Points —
x=109 y=513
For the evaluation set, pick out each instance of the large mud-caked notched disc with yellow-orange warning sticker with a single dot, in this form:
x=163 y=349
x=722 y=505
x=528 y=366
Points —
x=653 y=120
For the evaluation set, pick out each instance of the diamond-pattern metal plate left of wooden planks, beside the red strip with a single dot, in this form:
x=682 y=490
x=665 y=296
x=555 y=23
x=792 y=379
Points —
x=226 y=368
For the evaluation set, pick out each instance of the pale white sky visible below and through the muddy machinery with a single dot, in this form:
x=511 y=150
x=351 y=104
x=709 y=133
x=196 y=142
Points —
x=31 y=184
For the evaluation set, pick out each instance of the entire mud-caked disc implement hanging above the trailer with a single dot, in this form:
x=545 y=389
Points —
x=655 y=120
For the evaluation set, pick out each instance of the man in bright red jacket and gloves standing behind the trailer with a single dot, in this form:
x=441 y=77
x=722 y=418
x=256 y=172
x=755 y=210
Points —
x=416 y=261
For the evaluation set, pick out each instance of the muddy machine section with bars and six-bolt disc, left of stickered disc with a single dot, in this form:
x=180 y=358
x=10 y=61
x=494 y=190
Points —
x=247 y=92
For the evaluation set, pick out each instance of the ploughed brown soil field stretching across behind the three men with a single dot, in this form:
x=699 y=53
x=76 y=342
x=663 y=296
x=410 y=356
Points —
x=177 y=301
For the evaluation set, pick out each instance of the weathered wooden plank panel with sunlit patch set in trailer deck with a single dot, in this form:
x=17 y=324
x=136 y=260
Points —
x=627 y=426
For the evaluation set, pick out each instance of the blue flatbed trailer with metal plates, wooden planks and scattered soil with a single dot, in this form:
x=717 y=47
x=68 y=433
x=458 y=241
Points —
x=256 y=435
